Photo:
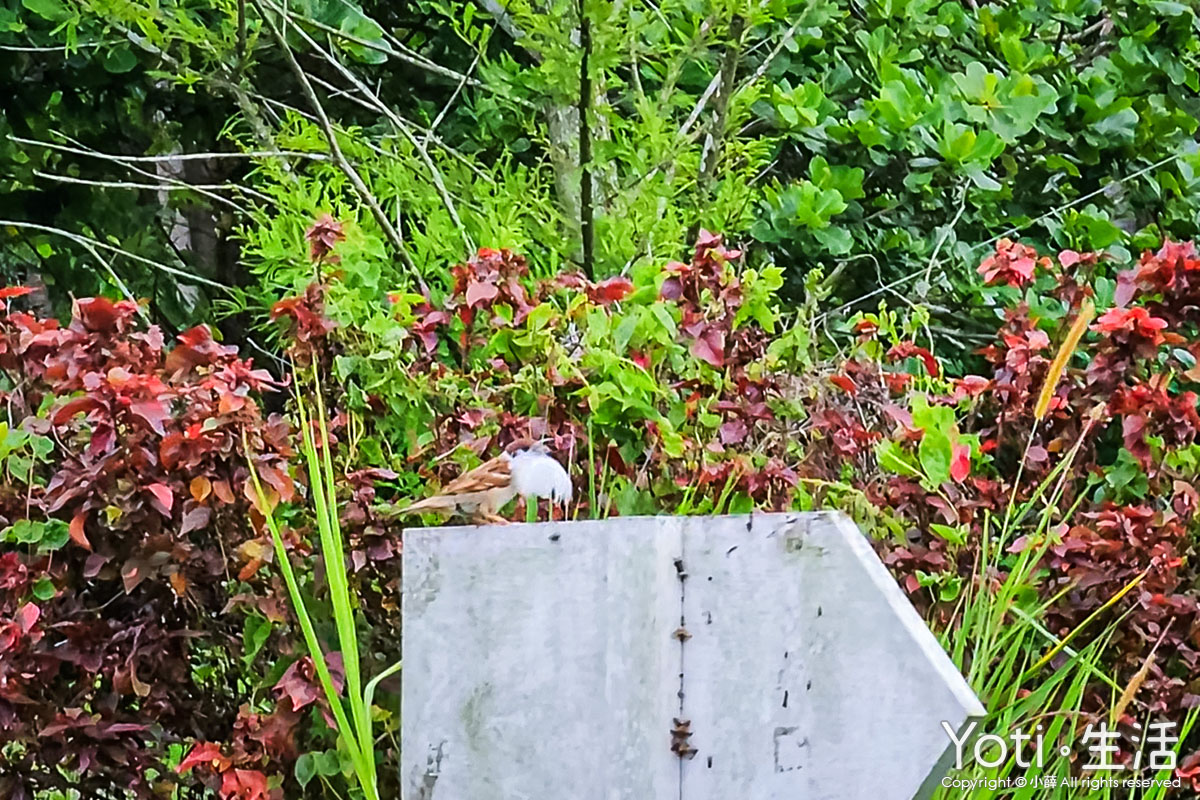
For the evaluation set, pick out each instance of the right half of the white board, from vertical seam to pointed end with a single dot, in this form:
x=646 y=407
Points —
x=809 y=675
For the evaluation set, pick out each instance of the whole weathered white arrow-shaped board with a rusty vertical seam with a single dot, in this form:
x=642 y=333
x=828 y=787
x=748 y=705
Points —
x=545 y=663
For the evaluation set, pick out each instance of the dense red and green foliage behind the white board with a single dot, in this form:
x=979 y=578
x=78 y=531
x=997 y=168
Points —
x=927 y=305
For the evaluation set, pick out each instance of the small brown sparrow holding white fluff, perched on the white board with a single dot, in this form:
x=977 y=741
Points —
x=526 y=468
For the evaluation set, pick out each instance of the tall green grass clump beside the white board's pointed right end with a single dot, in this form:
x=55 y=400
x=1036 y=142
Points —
x=1009 y=658
